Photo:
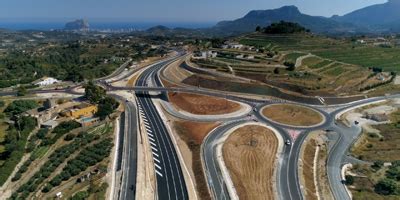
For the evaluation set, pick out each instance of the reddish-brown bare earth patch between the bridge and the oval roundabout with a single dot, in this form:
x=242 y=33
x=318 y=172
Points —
x=202 y=105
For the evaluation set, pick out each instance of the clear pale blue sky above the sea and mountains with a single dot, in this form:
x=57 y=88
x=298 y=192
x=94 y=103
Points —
x=164 y=10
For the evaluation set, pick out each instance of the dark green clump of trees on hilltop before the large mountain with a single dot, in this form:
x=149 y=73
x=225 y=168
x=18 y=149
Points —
x=283 y=27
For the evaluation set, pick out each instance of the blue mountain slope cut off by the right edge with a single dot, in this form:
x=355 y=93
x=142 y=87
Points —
x=380 y=17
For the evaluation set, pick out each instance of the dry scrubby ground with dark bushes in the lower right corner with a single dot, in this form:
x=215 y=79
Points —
x=380 y=180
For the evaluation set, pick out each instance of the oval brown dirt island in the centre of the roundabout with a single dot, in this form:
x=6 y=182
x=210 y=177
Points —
x=292 y=115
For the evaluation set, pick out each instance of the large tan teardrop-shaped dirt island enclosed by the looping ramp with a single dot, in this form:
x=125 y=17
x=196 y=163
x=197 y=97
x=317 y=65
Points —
x=249 y=154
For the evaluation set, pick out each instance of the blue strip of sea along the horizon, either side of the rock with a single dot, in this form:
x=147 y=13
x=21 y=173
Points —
x=46 y=26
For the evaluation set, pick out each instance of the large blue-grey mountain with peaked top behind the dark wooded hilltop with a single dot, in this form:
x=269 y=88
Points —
x=287 y=13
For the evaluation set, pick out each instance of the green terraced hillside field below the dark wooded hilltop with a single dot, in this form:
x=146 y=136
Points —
x=339 y=50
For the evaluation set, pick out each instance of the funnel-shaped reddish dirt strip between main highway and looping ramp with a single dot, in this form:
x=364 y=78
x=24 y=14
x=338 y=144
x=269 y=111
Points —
x=193 y=134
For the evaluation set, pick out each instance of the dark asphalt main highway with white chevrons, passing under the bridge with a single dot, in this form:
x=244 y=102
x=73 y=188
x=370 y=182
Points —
x=170 y=180
